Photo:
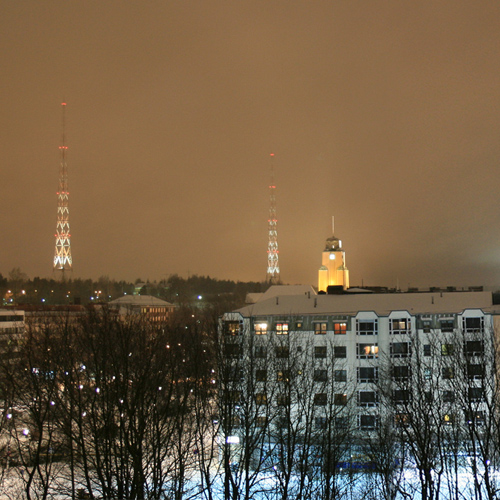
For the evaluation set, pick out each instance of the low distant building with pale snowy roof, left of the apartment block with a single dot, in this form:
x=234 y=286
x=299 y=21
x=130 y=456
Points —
x=147 y=306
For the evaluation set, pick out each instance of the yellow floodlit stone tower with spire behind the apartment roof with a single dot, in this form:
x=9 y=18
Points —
x=333 y=271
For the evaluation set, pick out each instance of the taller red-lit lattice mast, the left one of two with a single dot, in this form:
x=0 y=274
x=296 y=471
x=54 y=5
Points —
x=62 y=256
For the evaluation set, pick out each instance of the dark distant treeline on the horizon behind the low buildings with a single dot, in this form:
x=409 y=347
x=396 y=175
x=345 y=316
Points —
x=17 y=289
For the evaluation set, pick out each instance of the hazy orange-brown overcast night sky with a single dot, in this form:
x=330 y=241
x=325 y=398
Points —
x=385 y=114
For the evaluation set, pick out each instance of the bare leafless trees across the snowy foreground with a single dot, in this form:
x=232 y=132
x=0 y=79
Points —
x=112 y=409
